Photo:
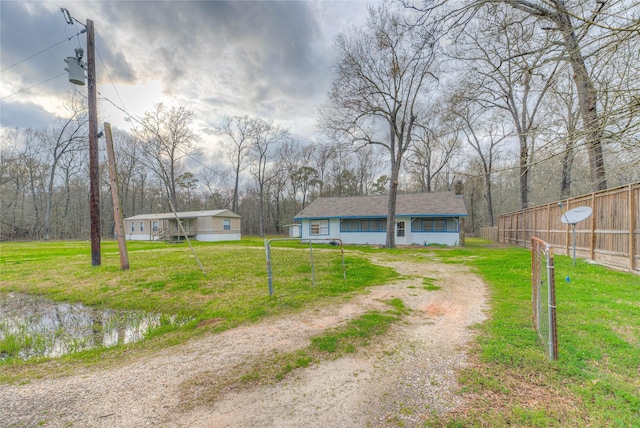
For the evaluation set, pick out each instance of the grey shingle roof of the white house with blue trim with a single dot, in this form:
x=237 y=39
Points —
x=414 y=204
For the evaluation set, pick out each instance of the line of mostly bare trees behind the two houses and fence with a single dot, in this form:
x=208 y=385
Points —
x=524 y=101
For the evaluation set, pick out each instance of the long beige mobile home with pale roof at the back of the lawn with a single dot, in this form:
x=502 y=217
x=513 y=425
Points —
x=213 y=225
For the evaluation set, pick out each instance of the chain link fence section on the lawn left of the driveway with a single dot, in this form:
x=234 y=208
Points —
x=294 y=265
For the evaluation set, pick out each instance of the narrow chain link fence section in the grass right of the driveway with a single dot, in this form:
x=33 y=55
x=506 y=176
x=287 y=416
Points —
x=543 y=294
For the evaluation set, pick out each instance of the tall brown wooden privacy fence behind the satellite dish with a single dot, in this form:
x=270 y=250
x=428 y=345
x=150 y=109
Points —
x=611 y=236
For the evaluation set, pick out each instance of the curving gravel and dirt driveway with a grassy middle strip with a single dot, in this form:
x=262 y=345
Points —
x=394 y=383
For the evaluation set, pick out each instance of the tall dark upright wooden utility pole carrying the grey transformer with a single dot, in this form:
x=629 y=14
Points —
x=94 y=176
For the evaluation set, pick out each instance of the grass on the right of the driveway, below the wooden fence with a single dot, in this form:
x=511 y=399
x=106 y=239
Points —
x=596 y=380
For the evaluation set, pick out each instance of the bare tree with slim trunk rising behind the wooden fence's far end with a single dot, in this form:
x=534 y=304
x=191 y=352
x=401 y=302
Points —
x=510 y=72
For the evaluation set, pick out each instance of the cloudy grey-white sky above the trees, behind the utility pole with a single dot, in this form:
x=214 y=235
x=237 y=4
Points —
x=268 y=59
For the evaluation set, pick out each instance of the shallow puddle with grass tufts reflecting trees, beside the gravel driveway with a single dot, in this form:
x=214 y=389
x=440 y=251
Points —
x=33 y=326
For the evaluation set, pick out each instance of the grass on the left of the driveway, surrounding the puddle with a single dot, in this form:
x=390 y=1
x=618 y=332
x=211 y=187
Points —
x=164 y=278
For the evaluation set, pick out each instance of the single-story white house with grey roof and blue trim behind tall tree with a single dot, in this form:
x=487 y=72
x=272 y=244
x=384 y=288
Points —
x=421 y=218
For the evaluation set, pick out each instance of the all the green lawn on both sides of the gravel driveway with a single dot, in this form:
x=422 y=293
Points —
x=511 y=382
